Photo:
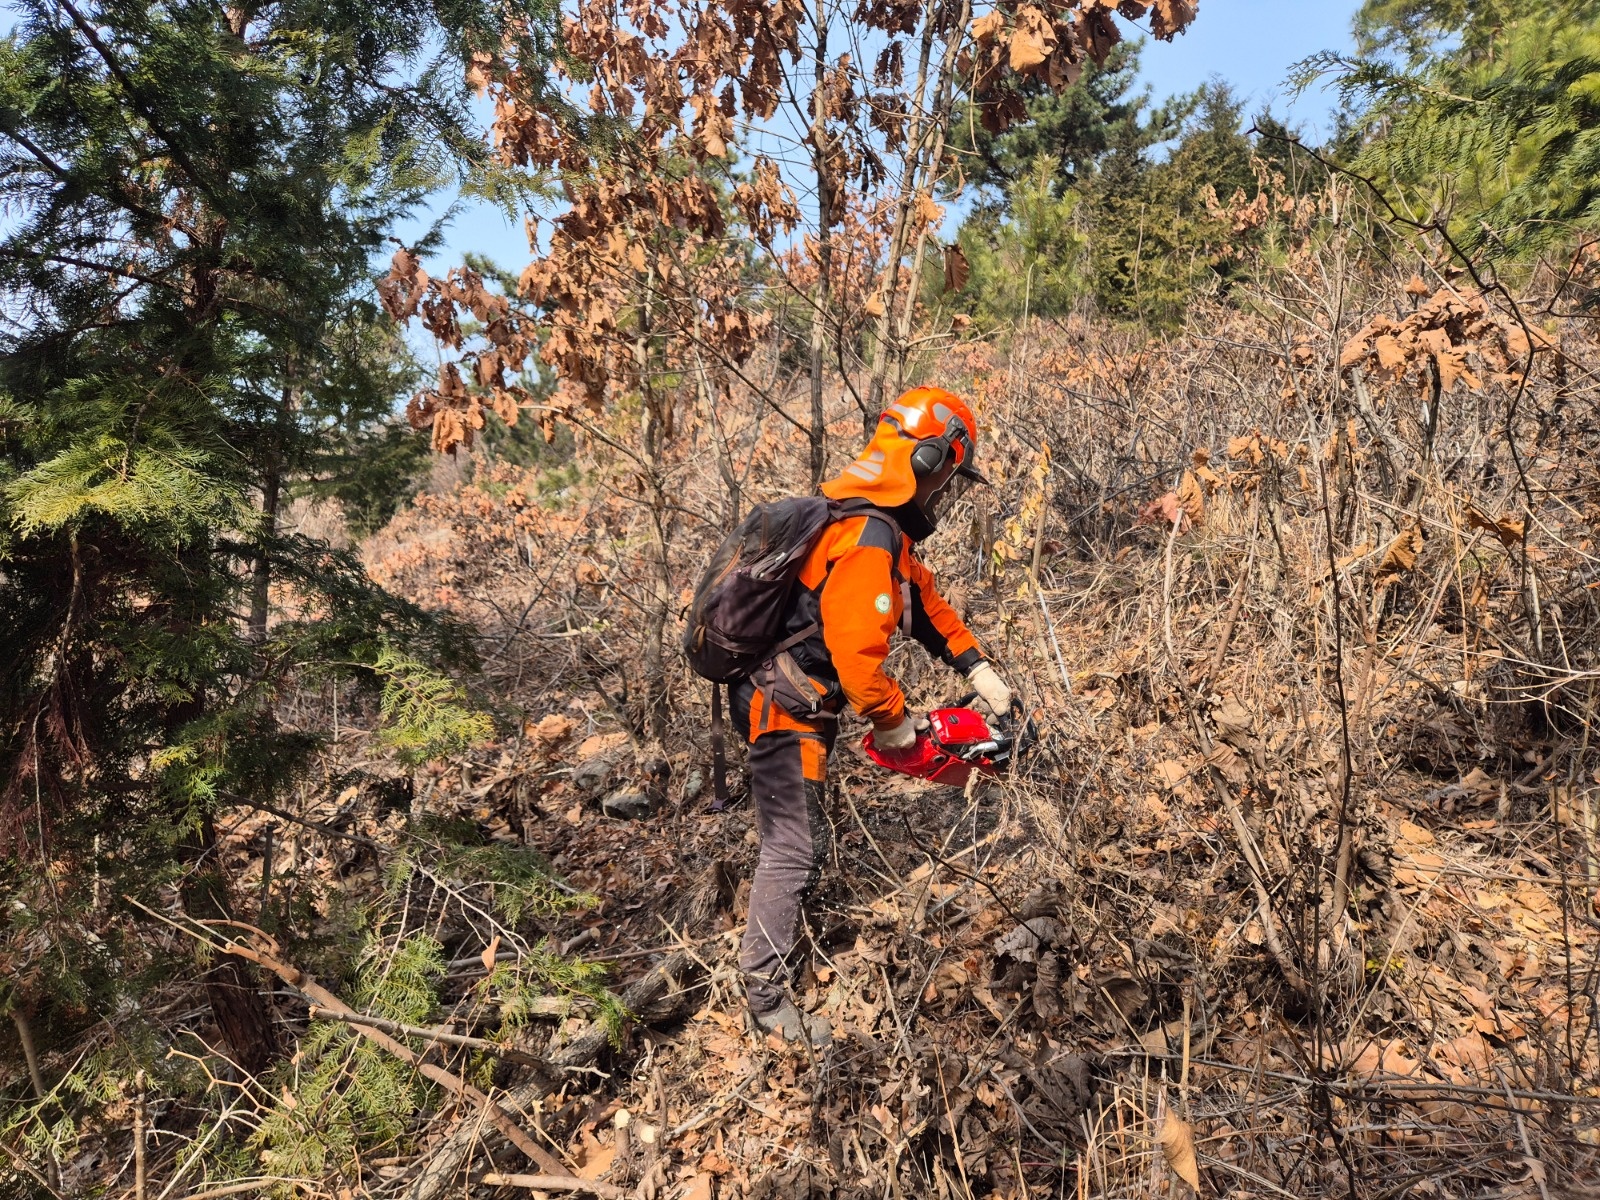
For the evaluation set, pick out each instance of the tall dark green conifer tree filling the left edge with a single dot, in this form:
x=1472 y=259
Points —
x=196 y=196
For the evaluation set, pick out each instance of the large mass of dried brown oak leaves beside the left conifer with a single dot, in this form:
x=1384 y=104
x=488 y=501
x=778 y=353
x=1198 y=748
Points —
x=641 y=276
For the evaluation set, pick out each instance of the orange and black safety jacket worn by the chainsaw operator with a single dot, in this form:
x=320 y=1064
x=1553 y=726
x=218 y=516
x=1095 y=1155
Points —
x=858 y=594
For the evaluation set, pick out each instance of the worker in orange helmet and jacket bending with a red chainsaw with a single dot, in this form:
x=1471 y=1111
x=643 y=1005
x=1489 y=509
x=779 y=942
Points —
x=860 y=585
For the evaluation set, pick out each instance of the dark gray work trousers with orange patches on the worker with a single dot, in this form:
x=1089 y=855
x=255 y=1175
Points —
x=788 y=785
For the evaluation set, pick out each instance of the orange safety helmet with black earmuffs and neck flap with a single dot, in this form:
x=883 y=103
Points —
x=918 y=438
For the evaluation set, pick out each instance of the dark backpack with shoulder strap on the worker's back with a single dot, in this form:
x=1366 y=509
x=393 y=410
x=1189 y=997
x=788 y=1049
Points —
x=737 y=617
